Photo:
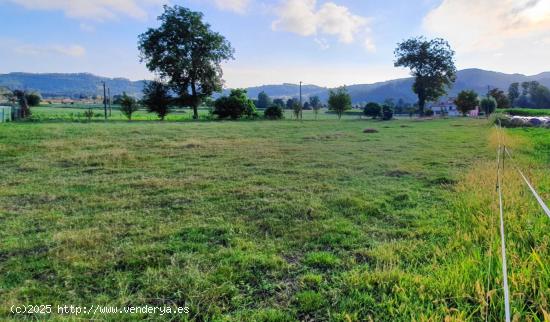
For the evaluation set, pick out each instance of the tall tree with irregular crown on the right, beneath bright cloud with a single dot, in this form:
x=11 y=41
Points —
x=431 y=63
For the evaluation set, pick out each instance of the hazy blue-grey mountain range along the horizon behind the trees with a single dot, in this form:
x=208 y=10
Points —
x=84 y=84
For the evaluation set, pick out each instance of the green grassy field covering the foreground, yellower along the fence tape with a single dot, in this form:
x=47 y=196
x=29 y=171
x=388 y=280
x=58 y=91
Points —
x=272 y=220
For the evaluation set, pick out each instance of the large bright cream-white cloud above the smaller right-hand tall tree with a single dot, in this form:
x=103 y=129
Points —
x=473 y=25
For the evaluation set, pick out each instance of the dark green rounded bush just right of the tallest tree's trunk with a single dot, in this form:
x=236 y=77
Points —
x=235 y=106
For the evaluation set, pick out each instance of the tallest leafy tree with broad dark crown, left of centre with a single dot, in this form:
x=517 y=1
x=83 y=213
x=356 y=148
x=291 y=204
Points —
x=186 y=53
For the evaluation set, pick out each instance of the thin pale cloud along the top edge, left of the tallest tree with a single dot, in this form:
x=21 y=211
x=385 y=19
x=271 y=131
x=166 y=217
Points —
x=98 y=10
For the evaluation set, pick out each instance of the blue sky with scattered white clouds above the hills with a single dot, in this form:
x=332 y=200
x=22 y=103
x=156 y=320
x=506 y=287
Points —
x=327 y=43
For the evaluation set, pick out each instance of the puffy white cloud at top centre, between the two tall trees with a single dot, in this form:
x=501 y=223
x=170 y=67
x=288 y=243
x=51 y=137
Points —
x=304 y=18
